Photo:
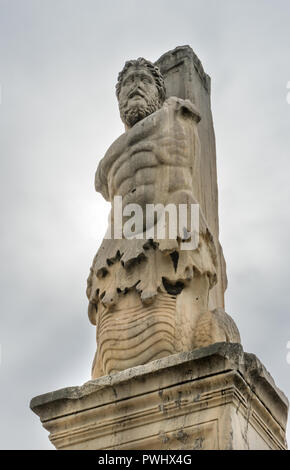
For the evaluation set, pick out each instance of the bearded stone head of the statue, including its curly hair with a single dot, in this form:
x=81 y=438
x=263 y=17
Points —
x=140 y=90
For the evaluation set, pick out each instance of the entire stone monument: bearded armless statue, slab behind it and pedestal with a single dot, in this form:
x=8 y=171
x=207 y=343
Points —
x=169 y=372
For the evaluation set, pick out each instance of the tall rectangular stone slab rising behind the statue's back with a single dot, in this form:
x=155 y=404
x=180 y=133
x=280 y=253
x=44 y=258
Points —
x=185 y=77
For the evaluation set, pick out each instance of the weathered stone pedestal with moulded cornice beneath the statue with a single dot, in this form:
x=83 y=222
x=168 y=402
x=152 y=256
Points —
x=216 y=397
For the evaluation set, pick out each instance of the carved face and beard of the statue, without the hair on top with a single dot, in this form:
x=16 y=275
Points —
x=138 y=96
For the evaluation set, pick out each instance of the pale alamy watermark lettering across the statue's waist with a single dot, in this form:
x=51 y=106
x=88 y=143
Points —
x=155 y=221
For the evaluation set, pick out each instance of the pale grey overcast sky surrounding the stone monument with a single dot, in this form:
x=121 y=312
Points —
x=59 y=60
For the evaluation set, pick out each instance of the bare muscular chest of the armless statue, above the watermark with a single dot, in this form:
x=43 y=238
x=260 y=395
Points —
x=153 y=160
